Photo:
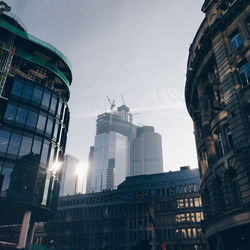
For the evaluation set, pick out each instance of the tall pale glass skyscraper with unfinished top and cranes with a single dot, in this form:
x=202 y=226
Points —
x=110 y=164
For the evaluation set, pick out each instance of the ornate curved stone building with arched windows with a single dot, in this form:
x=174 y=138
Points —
x=218 y=100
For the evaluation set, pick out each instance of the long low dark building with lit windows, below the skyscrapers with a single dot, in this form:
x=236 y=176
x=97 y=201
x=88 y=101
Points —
x=160 y=211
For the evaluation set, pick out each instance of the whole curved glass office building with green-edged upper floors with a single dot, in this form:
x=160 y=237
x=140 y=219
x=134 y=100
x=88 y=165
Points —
x=34 y=119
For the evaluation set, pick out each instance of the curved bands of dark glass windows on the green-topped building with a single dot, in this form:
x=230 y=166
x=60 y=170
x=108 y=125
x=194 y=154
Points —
x=32 y=139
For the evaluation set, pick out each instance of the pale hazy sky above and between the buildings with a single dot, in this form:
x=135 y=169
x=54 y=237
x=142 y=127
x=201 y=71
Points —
x=135 y=47
